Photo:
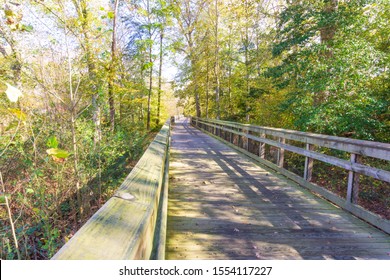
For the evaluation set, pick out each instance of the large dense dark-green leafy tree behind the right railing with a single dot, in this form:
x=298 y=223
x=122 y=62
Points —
x=326 y=66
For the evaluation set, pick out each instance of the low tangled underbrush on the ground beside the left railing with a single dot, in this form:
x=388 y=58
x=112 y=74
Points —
x=45 y=205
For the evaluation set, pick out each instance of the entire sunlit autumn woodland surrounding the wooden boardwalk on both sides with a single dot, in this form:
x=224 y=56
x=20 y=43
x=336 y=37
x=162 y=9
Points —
x=84 y=85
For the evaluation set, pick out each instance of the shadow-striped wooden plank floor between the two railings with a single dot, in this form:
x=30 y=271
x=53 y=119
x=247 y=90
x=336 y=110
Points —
x=222 y=205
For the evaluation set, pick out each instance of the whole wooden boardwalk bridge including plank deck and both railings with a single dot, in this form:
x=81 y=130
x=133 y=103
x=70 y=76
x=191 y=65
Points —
x=226 y=201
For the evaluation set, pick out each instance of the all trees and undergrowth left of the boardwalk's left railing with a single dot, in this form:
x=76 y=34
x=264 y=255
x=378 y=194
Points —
x=76 y=113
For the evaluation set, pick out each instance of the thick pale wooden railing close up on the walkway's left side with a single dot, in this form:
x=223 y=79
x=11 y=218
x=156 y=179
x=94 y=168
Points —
x=131 y=224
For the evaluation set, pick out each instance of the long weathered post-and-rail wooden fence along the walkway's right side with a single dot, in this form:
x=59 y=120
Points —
x=239 y=136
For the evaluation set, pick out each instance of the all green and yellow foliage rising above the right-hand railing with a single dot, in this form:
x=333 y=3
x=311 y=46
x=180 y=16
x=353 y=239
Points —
x=319 y=66
